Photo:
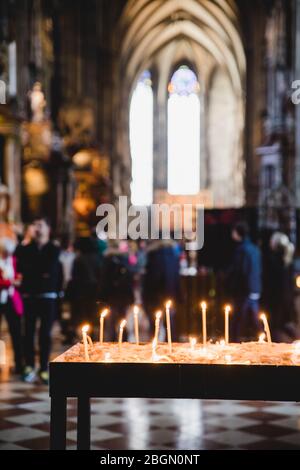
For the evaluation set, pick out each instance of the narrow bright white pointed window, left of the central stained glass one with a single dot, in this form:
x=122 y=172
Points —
x=141 y=141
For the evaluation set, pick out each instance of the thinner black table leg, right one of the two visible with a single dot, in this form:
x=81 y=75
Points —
x=83 y=423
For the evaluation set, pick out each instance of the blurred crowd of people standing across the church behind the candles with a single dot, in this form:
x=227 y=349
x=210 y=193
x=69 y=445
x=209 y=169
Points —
x=39 y=276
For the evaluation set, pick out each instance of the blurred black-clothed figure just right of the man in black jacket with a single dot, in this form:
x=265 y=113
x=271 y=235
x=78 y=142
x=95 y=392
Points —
x=83 y=288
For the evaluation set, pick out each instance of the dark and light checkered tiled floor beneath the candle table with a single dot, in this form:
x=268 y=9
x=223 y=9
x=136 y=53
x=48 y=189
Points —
x=149 y=424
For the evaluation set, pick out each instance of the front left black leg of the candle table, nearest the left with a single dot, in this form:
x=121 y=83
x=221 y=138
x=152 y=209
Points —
x=58 y=423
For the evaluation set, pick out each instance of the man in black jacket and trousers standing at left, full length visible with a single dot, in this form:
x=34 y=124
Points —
x=41 y=273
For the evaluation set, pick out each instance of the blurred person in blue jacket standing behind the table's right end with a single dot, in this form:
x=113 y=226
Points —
x=244 y=278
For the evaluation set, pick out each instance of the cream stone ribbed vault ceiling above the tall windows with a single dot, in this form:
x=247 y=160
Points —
x=150 y=25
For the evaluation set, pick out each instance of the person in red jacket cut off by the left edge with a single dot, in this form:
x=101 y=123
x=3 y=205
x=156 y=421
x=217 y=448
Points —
x=11 y=305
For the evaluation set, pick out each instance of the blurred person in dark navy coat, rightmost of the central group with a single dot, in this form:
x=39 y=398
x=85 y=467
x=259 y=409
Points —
x=161 y=280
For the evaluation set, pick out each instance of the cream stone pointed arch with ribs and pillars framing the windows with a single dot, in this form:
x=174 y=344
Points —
x=153 y=31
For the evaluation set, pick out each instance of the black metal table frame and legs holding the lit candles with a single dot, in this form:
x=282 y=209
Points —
x=135 y=380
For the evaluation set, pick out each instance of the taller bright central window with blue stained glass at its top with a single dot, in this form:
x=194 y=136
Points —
x=184 y=133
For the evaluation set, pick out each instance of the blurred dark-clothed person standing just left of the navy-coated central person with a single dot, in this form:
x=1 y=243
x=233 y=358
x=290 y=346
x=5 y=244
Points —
x=117 y=289
